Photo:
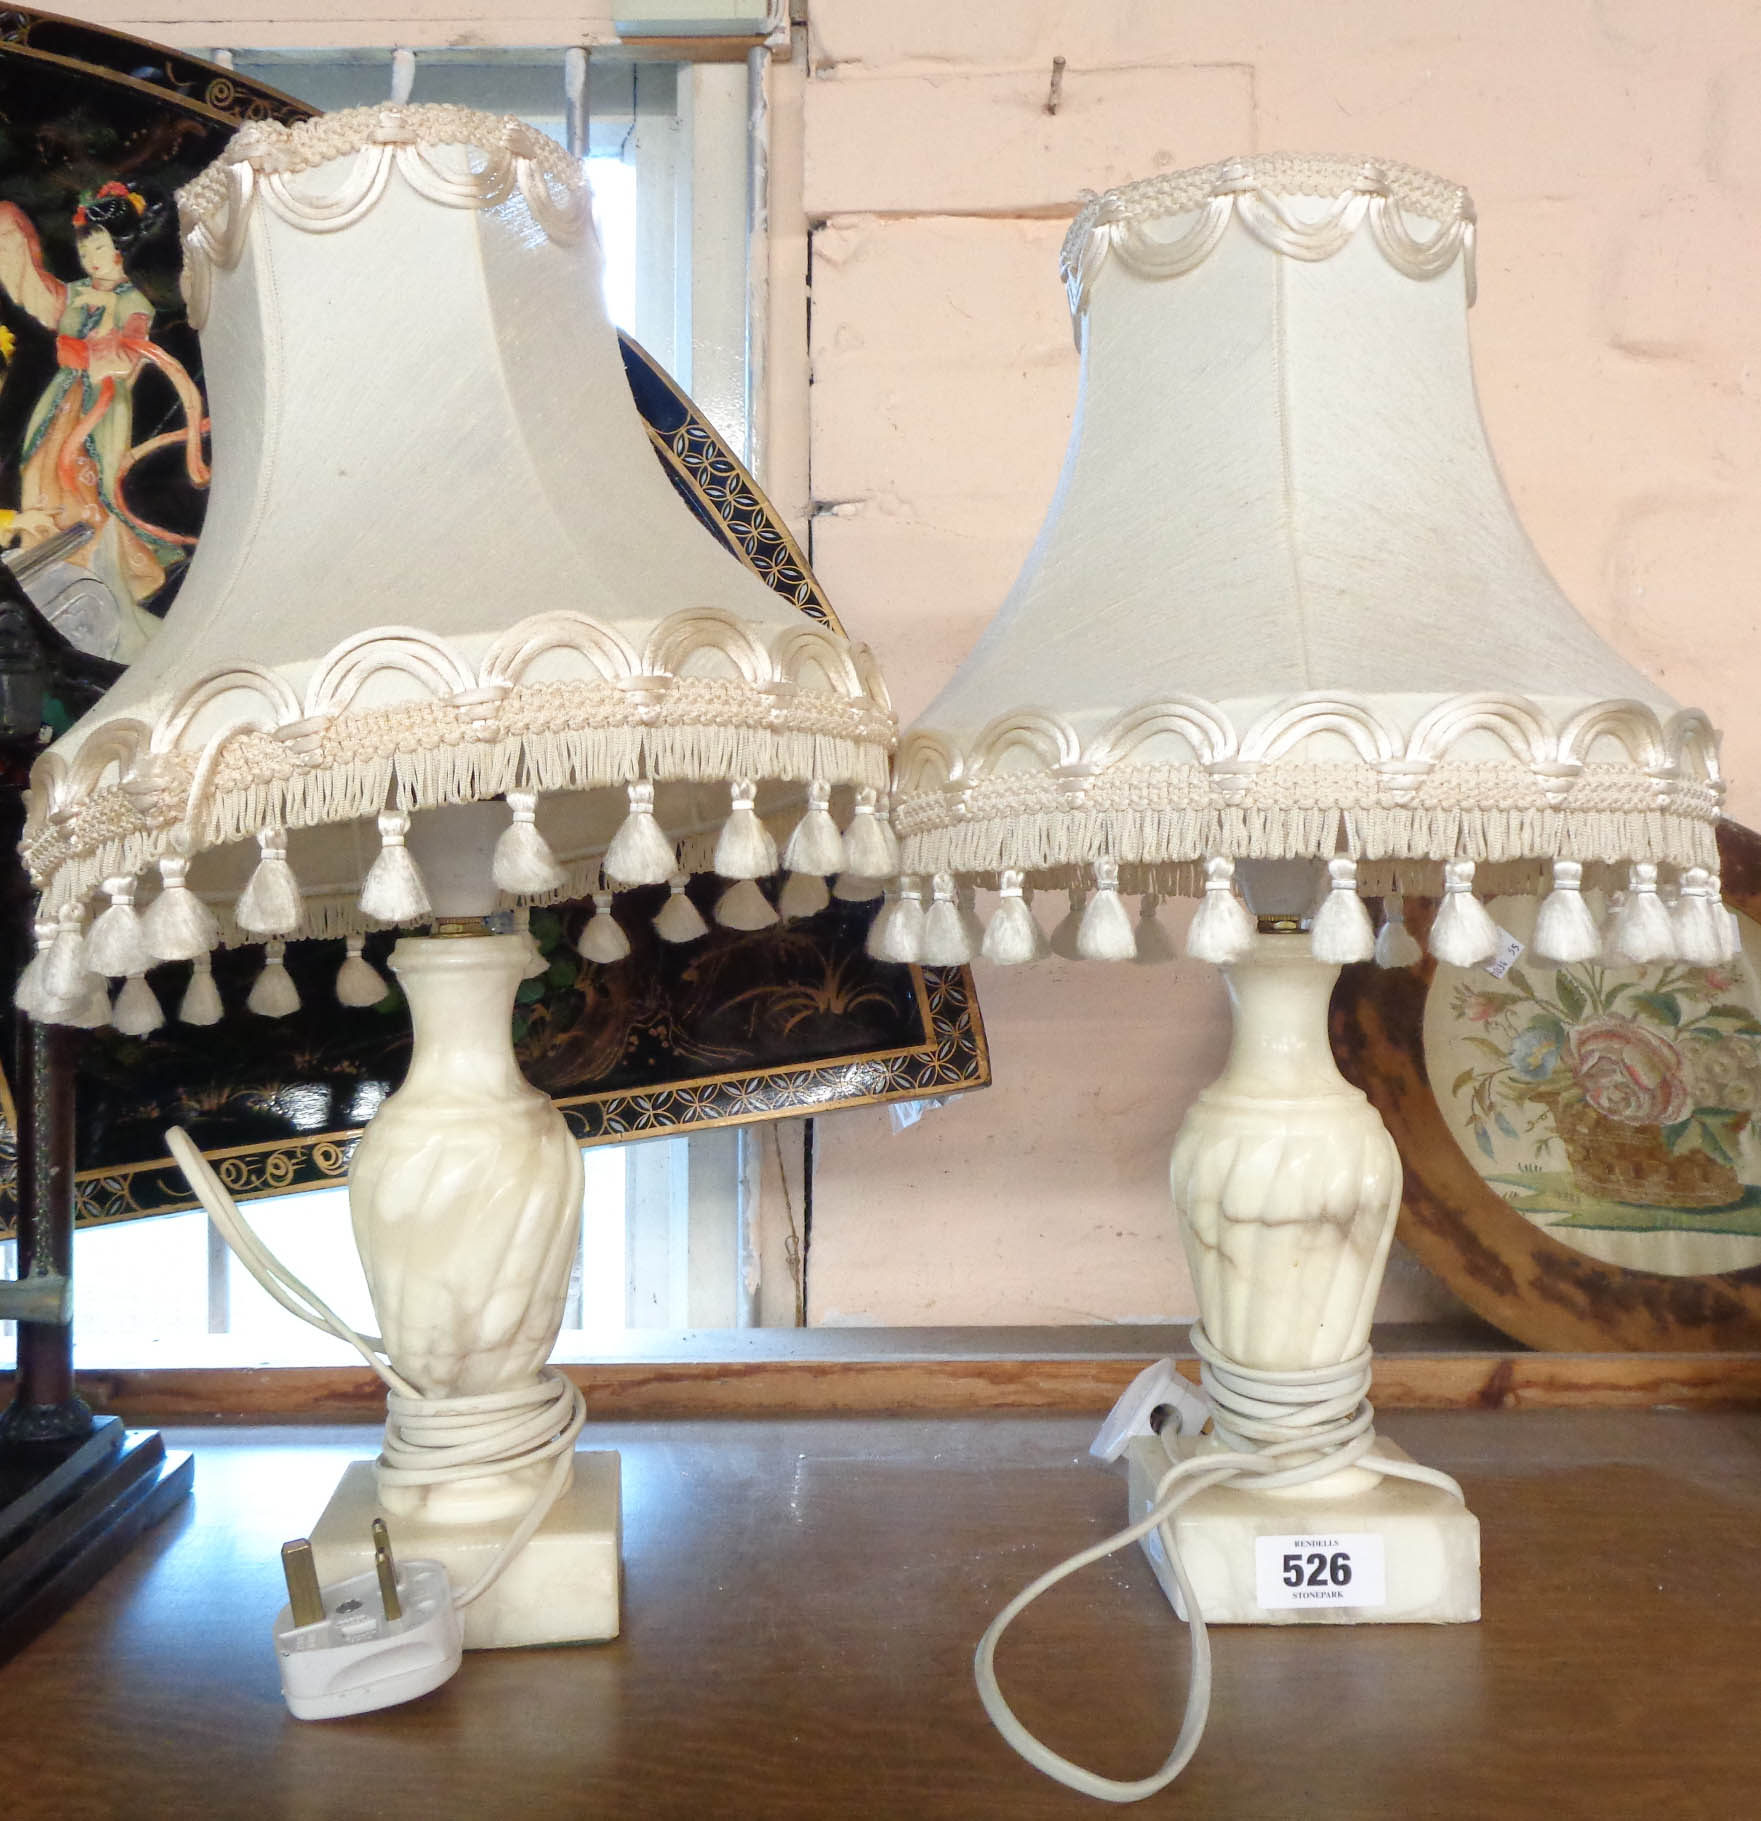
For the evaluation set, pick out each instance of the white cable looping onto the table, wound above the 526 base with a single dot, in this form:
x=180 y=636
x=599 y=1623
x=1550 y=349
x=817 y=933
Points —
x=1277 y=1429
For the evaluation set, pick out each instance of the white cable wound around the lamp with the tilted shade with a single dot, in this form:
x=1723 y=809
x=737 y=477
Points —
x=429 y=1441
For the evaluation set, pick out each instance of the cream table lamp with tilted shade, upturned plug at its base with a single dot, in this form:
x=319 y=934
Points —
x=451 y=646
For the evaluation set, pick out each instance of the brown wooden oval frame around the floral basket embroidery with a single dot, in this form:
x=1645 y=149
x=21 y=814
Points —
x=1501 y=1265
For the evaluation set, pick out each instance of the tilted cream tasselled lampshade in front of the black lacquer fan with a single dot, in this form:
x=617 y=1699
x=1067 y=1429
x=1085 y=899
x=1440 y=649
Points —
x=442 y=565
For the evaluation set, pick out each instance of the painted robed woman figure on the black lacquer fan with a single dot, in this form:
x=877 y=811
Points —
x=79 y=447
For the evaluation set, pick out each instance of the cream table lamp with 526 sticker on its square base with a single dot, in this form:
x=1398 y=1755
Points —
x=1283 y=646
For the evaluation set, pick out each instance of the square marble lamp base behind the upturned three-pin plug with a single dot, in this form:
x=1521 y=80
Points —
x=562 y=1589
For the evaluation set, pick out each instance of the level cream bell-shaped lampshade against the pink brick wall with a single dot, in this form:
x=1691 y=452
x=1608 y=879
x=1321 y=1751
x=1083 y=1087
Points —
x=1281 y=609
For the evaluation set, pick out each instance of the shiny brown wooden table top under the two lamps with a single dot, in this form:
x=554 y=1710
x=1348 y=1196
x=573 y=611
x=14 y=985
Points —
x=802 y=1600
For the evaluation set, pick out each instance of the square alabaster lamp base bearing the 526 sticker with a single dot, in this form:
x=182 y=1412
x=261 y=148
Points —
x=1390 y=1554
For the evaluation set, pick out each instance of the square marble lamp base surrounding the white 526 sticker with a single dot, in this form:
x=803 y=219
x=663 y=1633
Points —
x=1430 y=1545
